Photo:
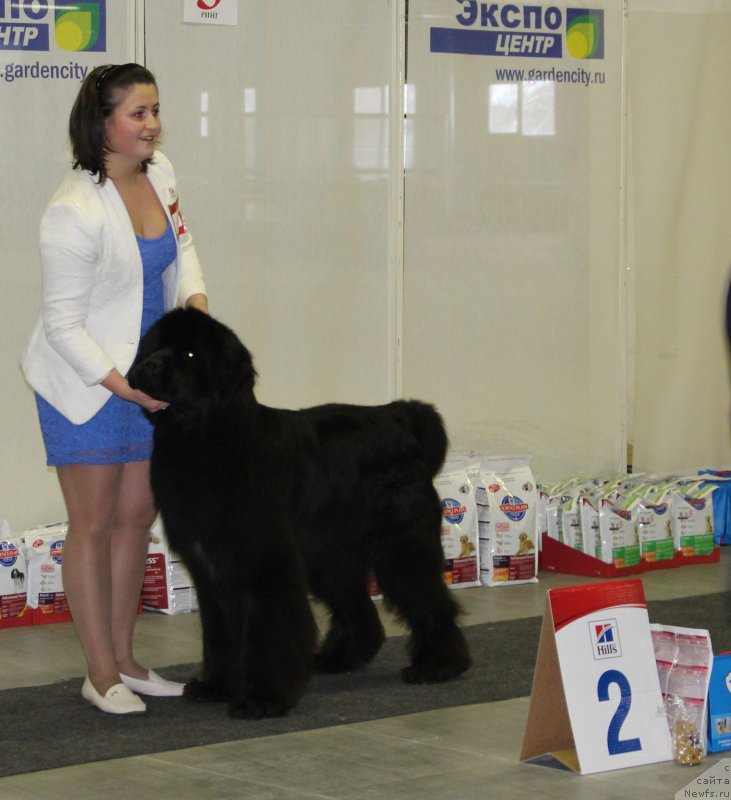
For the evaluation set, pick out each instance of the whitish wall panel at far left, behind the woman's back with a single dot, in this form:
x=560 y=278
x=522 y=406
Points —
x=34 y=113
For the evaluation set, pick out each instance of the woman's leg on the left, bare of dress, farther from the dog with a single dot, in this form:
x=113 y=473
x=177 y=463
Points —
x=90 y=493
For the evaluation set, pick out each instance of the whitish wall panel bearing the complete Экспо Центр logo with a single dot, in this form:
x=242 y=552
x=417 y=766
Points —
x=512 y=273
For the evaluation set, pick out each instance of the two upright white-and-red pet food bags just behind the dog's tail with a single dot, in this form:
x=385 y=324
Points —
x=488 y=519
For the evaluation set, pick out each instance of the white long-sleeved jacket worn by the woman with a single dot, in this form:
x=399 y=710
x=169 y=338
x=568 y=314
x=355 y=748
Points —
x=91 y=310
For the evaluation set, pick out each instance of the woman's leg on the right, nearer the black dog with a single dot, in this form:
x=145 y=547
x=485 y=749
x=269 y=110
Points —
x=130 y=538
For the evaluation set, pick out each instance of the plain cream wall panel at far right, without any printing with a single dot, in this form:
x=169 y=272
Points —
x=680 y=240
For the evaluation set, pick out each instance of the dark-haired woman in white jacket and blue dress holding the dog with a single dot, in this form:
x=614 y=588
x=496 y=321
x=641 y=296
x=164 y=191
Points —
x=115 y=255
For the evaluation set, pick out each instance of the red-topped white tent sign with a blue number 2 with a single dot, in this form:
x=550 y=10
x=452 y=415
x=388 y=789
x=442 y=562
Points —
x=596 y=703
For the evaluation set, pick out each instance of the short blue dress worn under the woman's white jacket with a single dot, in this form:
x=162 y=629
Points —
x=119 y=431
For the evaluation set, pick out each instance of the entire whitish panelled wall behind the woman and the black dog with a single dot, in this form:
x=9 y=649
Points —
x=543 y=306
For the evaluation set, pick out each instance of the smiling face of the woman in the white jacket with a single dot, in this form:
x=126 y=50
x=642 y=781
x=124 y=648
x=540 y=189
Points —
x=133 y=127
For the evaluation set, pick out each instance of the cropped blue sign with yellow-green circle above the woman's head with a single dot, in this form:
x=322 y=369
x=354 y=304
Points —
x=75 y=26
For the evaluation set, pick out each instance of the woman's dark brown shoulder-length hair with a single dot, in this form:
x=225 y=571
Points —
x=96 y=100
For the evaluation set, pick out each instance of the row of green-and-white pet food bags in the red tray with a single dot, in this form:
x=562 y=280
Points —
x=627 y=518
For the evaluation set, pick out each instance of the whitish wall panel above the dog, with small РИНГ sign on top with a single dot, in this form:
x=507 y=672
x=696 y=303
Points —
x=280 y=130
